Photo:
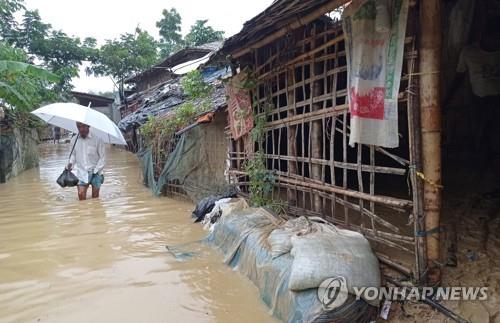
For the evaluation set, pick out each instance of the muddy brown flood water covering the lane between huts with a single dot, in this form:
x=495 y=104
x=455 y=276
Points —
x=104 y=260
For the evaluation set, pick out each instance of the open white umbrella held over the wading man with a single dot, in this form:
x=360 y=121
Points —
x=65 y=115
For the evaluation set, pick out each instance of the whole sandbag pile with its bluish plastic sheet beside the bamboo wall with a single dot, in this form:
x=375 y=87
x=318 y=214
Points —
x=271 y=253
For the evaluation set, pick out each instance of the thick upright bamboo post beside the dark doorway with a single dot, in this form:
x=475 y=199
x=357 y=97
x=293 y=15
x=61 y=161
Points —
x=430 y=111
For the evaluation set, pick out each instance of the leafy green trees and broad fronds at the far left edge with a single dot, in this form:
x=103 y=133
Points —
x=28 y=41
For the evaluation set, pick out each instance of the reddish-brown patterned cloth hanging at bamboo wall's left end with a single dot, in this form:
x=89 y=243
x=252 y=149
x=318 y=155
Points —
x=239 y=106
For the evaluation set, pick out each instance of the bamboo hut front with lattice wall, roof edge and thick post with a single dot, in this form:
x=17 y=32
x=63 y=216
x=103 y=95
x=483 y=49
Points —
x=296 y=52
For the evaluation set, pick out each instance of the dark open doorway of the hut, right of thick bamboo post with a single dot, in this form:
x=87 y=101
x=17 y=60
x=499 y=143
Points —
x=470 y=215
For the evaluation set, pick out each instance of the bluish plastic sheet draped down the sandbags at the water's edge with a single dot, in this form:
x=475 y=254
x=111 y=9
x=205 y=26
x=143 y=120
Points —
x=242 y=237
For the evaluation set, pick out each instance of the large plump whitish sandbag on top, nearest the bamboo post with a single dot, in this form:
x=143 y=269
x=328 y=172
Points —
x=330 y=253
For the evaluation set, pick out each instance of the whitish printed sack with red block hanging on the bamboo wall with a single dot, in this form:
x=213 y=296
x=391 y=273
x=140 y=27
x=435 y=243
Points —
x=375 y=32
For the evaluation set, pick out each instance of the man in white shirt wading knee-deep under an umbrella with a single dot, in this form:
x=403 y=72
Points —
x=89 y=157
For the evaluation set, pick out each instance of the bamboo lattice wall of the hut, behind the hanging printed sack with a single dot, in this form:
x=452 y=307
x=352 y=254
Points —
x=364 y=188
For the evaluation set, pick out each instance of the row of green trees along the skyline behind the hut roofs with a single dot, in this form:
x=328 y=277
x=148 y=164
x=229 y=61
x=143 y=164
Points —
x=118 y=58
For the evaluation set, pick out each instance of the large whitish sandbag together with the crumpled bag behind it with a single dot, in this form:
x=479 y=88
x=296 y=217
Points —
x=321 y=251
